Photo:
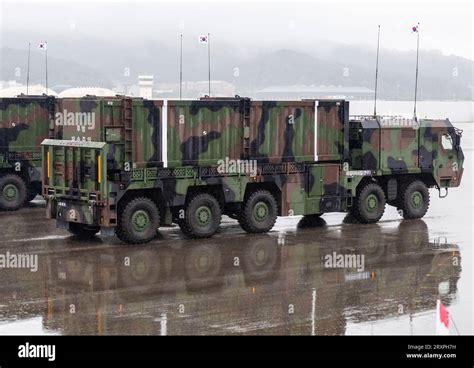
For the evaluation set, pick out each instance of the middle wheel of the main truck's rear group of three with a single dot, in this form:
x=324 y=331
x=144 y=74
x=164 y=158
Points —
x=202 y=216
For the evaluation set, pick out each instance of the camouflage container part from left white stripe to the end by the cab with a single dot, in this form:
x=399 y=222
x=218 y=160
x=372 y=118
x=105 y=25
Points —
x=200 y=133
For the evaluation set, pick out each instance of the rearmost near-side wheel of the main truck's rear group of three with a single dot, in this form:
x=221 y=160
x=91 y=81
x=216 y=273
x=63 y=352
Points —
x=138 y=221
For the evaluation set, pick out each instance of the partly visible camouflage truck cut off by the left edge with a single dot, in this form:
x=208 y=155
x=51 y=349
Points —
x=24 y=123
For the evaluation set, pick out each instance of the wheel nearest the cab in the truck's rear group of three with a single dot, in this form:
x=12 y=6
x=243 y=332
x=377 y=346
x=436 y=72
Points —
x=259 y=212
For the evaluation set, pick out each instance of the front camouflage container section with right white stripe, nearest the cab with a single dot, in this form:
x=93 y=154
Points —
x=298 y=130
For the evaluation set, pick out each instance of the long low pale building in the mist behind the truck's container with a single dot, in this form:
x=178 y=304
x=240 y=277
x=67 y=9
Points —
x=308 y=92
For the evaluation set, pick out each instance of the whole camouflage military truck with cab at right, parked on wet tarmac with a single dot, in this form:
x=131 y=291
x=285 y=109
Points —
x=138 y=164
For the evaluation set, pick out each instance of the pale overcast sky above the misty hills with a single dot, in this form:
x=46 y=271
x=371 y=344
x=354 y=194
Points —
x=445 y=25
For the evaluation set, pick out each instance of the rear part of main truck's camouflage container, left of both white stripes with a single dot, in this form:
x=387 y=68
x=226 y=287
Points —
x=131 y=126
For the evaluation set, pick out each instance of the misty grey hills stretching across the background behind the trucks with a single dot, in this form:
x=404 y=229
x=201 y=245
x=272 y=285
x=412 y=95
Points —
x=94 y=62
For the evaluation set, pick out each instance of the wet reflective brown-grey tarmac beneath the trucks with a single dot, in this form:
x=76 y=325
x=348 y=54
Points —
x=326 y=277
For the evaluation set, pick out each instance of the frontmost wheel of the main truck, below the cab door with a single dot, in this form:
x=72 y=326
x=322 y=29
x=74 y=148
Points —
x=414 y=200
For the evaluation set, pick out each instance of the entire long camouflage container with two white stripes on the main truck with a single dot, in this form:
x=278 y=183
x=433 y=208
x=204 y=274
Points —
x=203 y=132
